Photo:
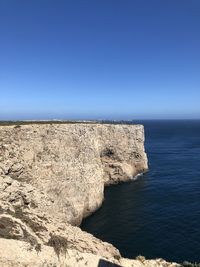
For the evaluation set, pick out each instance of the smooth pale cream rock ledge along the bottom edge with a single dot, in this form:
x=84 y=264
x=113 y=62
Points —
x=19 y=254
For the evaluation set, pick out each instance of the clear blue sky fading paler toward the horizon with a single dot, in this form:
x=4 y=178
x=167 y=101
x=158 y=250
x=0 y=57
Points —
x=109 y=59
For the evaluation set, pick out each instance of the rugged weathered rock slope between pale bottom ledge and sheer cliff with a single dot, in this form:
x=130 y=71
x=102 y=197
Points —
x=24 y=217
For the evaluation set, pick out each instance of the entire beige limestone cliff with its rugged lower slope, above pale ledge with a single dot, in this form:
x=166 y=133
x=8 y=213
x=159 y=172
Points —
x=53 y=175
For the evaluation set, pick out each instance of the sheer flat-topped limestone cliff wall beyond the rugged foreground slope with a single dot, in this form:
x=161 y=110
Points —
x=70 y=163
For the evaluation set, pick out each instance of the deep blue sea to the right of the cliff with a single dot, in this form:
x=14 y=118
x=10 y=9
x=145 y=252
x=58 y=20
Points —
x=158 y=215
